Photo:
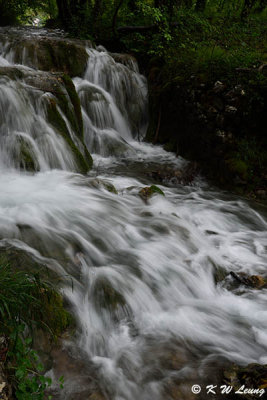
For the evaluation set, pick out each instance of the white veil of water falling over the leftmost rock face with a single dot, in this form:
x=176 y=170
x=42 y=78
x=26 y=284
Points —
x=27 y=140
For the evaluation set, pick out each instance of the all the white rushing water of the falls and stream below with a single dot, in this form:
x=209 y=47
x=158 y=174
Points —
x=141 y=277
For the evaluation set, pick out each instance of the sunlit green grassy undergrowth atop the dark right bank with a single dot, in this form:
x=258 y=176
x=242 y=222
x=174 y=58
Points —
x=211 y=46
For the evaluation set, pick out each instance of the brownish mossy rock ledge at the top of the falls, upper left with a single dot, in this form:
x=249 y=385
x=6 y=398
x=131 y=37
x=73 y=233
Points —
x=45 y=52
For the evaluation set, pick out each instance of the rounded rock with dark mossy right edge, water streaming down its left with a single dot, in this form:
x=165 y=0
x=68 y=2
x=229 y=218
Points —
x=46 y=104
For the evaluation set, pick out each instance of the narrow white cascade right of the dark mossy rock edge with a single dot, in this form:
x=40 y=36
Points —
x=114 y=101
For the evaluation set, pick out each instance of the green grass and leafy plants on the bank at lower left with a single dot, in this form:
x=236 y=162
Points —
x=28 y=304
